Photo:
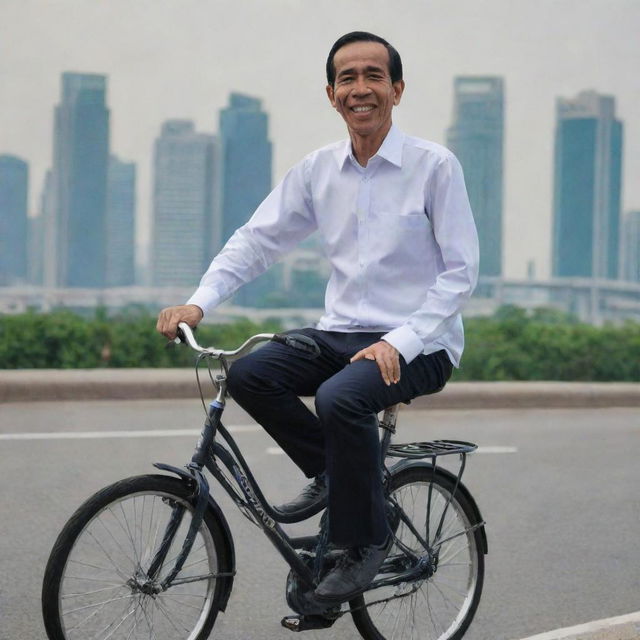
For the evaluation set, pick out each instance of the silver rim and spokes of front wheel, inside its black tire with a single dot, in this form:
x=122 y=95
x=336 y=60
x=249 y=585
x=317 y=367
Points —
x=98 y=597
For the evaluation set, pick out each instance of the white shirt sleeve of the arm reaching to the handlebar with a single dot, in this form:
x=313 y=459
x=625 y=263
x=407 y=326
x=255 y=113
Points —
x=283 y=219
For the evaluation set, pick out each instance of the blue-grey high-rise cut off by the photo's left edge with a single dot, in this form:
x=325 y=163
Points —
x=14 y=179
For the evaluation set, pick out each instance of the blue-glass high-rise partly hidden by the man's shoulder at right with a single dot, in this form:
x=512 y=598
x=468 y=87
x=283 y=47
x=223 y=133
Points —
x=476 y=137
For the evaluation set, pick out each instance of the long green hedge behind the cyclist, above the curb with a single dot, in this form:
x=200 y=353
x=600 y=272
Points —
x=510 y=345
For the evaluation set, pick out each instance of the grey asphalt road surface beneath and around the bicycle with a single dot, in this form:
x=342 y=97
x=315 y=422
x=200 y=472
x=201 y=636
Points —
x=558 y=489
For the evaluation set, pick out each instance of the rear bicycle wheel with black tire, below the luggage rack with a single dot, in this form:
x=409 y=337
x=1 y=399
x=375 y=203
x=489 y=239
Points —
x=442 y=606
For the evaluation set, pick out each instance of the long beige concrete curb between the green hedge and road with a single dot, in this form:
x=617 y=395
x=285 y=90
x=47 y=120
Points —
x=32 y=385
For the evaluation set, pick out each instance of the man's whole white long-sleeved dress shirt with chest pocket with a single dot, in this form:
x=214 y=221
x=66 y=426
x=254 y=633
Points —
x=399 y=234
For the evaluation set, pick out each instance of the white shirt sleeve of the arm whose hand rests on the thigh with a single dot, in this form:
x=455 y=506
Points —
x=447 y=205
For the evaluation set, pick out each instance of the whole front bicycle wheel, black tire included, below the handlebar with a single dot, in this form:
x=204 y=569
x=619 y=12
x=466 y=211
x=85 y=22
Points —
x=86 y=593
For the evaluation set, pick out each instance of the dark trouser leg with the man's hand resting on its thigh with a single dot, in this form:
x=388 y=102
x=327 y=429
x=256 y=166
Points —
x=347 y=405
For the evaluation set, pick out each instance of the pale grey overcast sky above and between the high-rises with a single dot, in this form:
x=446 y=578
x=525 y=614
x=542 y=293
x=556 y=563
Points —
x=181 y=58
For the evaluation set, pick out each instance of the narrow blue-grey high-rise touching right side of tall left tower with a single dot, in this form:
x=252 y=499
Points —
x=120 y=223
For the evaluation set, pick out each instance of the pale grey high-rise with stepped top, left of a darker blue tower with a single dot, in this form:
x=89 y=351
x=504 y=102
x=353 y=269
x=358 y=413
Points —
x=183 y=210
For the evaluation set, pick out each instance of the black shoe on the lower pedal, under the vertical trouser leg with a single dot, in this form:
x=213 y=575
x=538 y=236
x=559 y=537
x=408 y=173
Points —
x=353 y=573
